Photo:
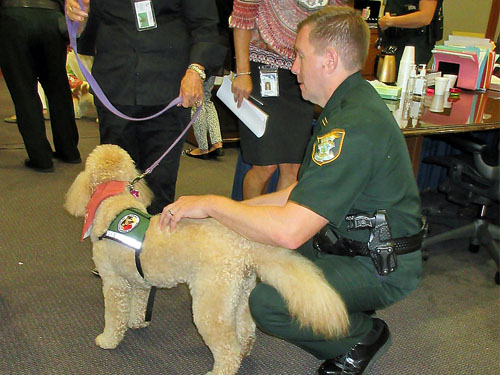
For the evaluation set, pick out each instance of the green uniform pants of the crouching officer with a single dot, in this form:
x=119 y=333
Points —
x=361 y=288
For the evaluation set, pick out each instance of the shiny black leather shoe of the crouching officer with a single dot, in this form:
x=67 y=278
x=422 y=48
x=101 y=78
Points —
x=362 y=355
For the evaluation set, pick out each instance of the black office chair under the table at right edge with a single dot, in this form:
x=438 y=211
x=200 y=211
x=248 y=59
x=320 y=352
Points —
x=473 y=180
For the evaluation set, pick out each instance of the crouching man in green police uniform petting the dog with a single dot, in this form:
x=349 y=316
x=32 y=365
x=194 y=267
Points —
x=355 y=187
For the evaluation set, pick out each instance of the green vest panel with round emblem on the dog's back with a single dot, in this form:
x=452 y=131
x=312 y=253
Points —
x=129 y=228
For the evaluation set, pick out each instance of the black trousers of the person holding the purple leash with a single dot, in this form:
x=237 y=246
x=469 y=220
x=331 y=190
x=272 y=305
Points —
x=146 y=141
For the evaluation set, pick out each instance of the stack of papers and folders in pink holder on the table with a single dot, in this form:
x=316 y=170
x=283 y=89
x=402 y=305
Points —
x=473 y=56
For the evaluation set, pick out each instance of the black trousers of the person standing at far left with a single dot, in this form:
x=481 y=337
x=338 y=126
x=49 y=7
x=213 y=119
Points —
x=34 y=49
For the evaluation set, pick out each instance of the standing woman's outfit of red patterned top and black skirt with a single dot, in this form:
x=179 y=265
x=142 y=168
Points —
x=273 y=24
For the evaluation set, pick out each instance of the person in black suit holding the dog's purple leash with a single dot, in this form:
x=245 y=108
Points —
x=145 y=56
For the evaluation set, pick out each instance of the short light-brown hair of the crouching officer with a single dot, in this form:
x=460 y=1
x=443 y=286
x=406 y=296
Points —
x=341 y=28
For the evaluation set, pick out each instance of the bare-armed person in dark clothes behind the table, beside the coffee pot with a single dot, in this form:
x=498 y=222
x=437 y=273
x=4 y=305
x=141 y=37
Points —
x=416 y=23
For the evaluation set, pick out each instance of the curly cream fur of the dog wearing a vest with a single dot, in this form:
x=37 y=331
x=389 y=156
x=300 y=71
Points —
x=219 y=266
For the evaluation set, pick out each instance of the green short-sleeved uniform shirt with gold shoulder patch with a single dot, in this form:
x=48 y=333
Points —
x=357 y=161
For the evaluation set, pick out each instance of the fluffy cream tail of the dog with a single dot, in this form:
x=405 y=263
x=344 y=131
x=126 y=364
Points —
x=309 y=297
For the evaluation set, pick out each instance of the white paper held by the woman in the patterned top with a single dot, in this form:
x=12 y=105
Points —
x=252 y=116
